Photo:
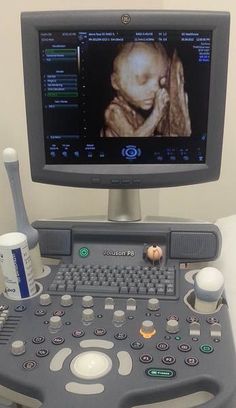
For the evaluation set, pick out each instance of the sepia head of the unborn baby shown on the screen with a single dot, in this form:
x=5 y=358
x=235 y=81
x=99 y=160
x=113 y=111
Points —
x=139 y=73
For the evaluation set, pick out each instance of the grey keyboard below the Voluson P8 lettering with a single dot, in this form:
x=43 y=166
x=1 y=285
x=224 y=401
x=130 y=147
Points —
x=138 y=281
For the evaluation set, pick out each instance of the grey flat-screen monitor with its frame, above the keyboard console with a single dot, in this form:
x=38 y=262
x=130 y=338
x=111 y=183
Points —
x=125 y=99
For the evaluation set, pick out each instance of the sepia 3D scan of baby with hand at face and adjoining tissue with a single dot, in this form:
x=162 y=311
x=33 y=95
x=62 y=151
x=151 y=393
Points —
x=150 y=98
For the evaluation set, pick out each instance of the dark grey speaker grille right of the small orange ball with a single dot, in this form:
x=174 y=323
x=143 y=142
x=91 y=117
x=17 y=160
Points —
x=193 y=245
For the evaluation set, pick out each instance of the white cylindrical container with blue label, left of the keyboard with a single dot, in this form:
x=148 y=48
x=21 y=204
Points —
x=16 y=266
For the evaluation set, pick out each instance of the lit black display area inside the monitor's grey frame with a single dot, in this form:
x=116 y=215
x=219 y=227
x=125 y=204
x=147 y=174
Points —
x=116 y=96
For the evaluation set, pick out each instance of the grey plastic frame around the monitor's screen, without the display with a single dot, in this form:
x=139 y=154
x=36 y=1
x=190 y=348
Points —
x=125 y=175
